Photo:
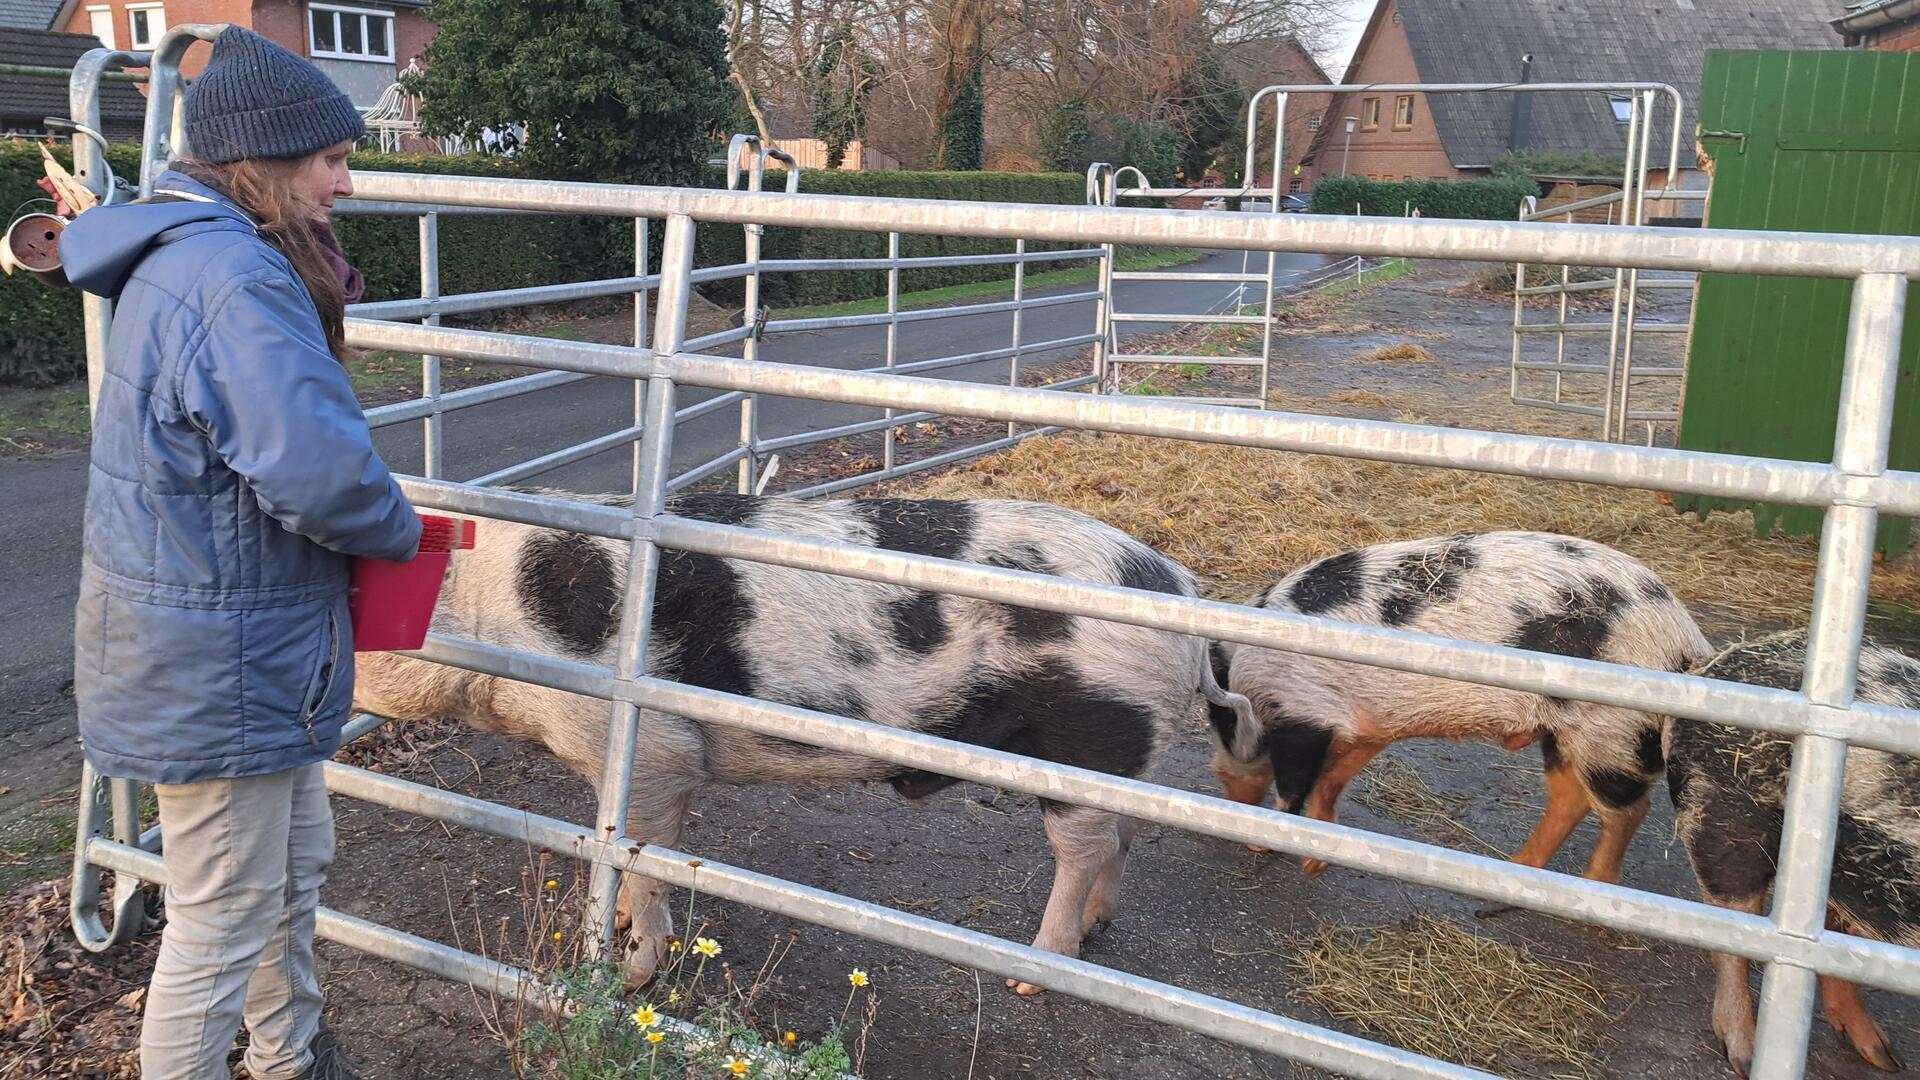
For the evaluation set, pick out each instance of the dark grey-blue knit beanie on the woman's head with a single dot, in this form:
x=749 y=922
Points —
x=260 y=101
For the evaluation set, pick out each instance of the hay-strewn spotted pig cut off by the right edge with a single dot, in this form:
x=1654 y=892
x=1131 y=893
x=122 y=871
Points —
x=1731 y=787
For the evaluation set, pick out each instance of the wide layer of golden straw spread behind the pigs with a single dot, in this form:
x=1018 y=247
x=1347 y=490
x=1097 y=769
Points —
x=1241 y=516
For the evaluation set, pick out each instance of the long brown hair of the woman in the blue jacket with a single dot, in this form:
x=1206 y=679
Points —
x=287 y=220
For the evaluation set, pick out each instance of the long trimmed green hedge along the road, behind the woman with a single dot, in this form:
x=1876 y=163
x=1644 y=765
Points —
x=41 y=335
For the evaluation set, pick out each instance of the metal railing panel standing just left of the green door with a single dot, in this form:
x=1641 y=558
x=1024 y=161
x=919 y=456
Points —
x=1623 y=324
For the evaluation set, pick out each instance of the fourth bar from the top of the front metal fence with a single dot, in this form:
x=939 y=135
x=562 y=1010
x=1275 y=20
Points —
x=1420 y=864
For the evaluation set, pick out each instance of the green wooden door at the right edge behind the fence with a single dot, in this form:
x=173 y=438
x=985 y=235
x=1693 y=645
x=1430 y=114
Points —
x=1819 y=143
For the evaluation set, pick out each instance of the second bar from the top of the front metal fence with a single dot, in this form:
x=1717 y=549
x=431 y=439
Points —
x=1683 y=472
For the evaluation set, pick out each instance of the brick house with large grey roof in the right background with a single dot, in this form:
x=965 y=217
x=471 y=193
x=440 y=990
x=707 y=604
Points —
x=1485 y=41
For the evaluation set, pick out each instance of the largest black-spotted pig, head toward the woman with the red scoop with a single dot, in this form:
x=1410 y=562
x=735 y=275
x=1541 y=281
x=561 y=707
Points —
x=1057 y=687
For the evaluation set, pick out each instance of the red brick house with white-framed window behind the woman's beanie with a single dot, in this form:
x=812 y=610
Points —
x=362 y=45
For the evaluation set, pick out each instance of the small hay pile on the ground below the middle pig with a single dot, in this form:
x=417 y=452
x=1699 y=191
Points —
x=1435 y=989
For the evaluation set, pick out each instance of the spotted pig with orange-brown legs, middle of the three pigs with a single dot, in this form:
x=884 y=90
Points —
x=1322 y=722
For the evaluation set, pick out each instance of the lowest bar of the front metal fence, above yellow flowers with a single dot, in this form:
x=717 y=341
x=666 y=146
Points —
x=971 y=948
